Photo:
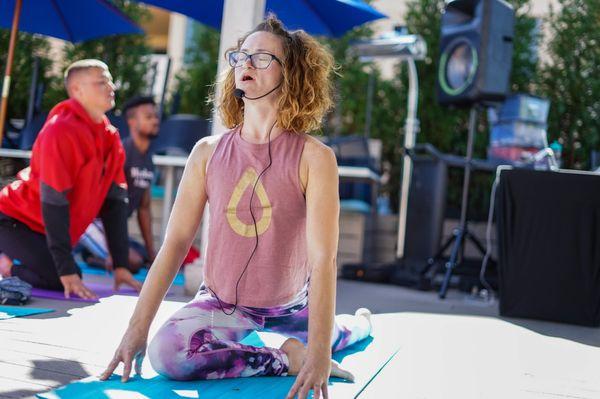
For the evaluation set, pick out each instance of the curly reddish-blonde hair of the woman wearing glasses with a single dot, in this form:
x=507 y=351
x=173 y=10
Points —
x=307 y=89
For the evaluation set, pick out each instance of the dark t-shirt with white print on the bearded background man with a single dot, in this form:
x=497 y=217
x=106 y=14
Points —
x=139 y=171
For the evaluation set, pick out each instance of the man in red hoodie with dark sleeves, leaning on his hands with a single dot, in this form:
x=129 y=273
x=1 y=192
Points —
x=76 y=174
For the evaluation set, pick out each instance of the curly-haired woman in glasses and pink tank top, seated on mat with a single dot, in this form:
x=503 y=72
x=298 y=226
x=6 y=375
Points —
x=273 y=230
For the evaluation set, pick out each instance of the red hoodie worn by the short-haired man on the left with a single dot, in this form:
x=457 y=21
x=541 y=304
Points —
x=73 y=155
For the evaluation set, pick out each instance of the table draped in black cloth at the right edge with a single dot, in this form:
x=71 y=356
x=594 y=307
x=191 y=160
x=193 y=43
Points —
x=549 y=245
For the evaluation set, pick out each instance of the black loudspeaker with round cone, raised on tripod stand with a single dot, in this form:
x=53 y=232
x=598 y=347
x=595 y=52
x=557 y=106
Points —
x=476 y=48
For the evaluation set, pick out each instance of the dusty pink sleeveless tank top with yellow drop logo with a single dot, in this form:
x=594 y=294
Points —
x=279 y=268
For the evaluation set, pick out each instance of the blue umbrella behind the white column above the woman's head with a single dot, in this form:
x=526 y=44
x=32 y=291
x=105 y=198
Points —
x=319 y=17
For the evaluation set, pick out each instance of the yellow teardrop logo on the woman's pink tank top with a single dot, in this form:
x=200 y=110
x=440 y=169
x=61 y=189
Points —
x=246 y=182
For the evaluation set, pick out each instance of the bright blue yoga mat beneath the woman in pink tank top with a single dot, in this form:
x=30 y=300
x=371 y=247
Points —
x=368 y=353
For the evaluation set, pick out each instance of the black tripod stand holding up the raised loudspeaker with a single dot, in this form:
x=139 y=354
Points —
x=462 y=233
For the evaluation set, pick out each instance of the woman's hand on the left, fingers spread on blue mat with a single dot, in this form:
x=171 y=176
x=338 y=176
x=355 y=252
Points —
x=131 y=350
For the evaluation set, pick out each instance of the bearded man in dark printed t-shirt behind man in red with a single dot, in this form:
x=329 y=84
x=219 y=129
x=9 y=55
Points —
x=142 y=119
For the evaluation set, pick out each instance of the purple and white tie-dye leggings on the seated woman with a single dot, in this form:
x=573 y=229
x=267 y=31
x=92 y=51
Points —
x=200 y=342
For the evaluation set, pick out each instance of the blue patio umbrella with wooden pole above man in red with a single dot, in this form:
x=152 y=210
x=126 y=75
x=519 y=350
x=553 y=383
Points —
x=72 y=20
